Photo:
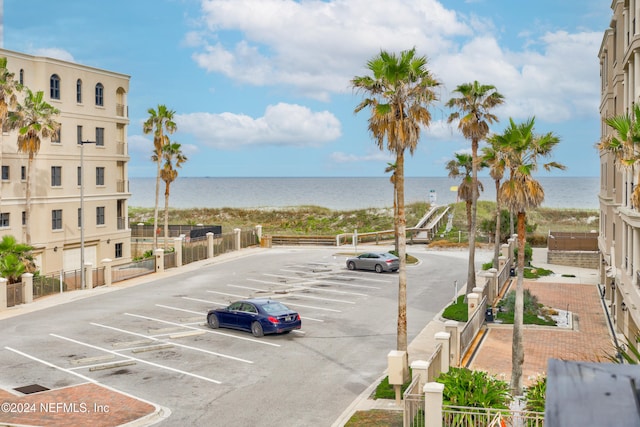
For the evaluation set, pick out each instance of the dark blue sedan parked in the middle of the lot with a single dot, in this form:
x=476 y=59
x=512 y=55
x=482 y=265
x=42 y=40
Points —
x=258 y=316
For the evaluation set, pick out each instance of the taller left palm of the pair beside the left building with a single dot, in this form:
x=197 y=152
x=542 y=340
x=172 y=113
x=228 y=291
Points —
x=159 y=122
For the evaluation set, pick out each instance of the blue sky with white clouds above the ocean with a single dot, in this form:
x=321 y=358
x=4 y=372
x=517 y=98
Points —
x=261 y=88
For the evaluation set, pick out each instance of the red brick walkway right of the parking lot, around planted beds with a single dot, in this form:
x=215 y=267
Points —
x=588 y=341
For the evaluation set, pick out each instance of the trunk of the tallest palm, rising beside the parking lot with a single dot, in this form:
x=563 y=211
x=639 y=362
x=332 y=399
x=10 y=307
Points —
x=402 y=254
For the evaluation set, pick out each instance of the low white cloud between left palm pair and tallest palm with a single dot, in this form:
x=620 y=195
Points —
x=281 y=125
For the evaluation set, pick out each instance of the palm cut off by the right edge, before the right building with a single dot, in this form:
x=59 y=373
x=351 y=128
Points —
x=624 y=145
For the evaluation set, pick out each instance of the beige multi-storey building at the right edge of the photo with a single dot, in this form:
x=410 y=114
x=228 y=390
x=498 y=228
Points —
x=619 y=238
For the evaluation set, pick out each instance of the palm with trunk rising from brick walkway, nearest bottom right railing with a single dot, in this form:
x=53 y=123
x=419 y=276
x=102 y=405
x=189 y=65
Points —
x=521 y=192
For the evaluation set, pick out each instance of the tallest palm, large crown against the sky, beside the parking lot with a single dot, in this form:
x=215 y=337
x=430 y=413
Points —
x=398 y=93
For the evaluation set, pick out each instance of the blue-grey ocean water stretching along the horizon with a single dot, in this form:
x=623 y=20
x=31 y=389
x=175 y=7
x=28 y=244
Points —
x=341 y=193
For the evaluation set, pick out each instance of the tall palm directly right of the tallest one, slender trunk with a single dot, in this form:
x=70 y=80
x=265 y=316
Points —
x=474 y=117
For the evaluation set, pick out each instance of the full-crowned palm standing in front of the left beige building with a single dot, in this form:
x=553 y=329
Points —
x=34 y=119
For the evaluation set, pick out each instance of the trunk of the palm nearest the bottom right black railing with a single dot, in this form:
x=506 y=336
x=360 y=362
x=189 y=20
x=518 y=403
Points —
x=517 y=349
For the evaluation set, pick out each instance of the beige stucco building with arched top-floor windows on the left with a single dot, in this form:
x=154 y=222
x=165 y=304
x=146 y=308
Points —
x=93 y=107
